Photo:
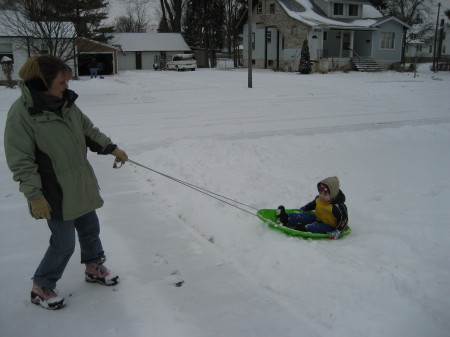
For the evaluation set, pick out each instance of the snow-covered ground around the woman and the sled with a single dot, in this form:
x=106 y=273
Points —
x=192 y=266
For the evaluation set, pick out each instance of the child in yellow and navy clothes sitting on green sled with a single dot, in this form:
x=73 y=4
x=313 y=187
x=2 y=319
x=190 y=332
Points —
x=330 y=213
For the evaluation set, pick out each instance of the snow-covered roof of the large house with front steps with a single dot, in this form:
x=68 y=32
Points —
x=308 y=12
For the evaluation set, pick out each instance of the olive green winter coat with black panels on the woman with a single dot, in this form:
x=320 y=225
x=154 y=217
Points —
x=46 y=149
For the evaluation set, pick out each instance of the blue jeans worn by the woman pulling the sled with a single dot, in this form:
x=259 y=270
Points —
x=62 y=246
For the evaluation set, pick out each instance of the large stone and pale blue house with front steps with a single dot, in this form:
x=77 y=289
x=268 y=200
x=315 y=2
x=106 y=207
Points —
x=337 y=32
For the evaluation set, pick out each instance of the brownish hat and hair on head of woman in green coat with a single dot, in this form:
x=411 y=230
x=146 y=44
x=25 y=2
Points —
x=45 y=68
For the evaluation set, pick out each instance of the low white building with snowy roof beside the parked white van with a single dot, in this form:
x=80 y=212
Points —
x=138 y=50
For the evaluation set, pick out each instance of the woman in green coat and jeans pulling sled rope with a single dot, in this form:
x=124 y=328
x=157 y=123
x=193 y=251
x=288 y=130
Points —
x=46 y=141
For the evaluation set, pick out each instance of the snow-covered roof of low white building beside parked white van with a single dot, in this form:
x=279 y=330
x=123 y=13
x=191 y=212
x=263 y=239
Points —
x=150 y=42
